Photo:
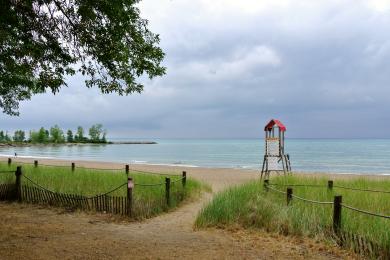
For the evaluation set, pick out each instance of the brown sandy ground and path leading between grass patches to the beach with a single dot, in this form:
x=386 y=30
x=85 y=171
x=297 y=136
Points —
x=40 y=233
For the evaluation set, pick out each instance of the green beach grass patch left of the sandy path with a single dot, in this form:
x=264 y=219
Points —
x=148 y=193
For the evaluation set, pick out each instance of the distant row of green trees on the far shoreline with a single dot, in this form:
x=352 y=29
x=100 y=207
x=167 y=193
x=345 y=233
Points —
x=56 y=135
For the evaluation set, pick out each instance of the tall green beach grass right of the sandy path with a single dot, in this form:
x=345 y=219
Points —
x=250 y=206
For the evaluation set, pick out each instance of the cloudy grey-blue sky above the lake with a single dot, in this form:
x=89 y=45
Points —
x=321 y=67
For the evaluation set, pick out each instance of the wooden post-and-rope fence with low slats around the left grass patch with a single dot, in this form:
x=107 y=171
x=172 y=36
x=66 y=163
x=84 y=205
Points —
x=139 y=204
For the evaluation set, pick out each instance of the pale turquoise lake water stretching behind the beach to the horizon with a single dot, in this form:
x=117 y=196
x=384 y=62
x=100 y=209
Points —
x=323 y=155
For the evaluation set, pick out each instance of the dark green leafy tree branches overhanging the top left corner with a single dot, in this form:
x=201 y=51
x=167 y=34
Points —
x=43 y=41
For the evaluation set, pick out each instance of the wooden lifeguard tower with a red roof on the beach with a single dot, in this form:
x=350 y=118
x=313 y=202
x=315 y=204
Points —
x=274 y=149
